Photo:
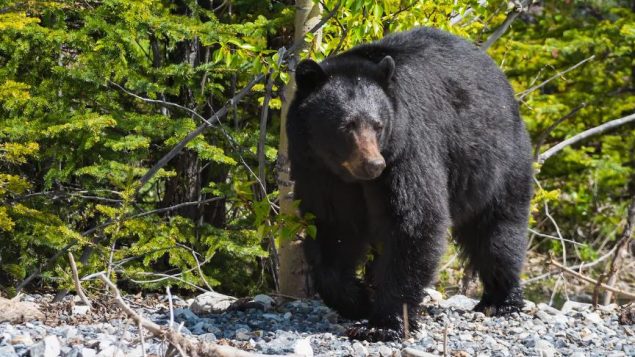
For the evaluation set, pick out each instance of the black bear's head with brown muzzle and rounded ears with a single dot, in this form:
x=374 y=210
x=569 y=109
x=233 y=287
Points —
x=345 y=112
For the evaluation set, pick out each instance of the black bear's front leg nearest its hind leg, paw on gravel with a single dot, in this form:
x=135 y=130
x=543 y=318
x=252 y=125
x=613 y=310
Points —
x=413 y=241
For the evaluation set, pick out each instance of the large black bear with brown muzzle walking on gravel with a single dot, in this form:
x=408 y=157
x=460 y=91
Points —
x=392 y=143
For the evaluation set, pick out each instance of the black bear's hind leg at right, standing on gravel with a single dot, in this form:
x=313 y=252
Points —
x=494 y=245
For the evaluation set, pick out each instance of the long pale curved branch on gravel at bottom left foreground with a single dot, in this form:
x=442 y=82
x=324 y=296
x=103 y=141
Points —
x=189 y=347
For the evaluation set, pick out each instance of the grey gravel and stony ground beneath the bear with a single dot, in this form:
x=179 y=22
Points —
x=307 y=328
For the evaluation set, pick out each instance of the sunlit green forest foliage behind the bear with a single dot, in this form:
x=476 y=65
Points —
x=93 y=94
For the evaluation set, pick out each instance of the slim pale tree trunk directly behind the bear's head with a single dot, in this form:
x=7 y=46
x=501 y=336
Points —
x=294 y=279
